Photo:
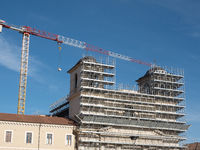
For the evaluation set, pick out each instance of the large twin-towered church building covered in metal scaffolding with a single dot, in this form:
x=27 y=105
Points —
x=112 y=116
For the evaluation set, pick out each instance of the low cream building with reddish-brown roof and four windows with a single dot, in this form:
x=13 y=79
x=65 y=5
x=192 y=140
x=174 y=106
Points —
x=27 y=132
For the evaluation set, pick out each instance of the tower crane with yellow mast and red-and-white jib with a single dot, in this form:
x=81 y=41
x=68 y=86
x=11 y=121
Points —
x=27 y=31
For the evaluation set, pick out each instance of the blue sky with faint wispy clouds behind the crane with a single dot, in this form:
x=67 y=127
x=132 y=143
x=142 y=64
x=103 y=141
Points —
x=165 y=30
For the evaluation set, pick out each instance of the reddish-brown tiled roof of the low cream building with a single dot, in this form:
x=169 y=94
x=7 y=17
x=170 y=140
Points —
x=36 y=119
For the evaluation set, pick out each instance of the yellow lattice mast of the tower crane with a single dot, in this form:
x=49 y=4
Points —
x=23 y=74
